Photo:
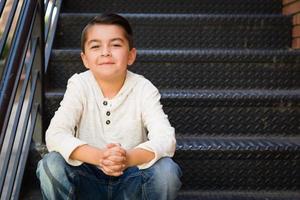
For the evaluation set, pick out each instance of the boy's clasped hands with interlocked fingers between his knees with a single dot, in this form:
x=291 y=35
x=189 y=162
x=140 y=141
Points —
x=114 y=160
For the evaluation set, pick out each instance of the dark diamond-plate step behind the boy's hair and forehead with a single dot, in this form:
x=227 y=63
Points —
x=189 y=30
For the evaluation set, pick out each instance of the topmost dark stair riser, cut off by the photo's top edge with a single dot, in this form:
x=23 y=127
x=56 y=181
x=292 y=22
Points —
x=174 y=6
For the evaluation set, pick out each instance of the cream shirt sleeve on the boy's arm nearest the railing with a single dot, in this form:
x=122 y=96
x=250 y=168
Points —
x=60 y=134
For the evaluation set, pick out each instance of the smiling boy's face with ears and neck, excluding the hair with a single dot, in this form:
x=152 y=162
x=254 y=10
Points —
x=107 y=52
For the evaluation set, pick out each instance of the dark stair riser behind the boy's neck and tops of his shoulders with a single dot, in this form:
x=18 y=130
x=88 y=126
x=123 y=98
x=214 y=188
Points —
x=199 y=75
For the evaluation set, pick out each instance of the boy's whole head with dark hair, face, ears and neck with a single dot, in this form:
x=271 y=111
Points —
x=107 y=47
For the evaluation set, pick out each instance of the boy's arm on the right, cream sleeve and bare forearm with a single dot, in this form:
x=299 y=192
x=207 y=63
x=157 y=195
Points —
x=161 y=134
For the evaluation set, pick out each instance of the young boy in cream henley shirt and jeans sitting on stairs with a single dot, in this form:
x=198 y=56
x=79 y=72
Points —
x=110 y=138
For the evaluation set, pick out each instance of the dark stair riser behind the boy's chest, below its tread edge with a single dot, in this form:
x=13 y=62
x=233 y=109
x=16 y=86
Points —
x=231 y=120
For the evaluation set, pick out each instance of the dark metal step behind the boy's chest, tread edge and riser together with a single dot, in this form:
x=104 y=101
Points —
x=222 y=113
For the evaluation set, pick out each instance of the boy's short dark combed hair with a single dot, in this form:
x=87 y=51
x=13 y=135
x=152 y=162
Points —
x=108 y=19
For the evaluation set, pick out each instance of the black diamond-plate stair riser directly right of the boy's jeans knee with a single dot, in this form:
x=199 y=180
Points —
x=239 y=171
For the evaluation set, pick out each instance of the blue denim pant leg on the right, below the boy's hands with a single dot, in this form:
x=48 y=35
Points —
x=159 y=182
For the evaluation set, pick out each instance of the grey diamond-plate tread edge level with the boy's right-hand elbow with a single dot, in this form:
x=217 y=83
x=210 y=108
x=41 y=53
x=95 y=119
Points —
x=239 y=144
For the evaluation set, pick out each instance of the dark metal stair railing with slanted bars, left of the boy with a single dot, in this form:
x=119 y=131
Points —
x=34 y=36
